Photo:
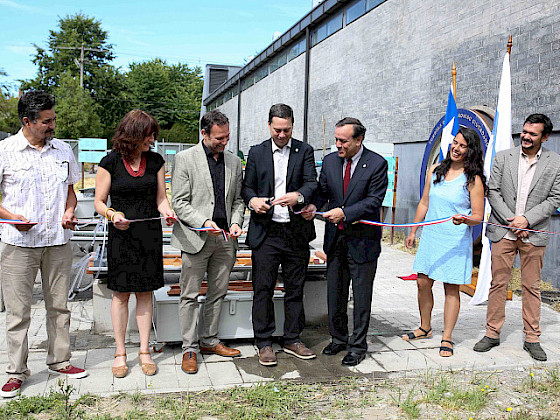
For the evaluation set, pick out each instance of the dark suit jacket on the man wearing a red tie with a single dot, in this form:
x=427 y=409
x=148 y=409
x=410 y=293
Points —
x=363 y=200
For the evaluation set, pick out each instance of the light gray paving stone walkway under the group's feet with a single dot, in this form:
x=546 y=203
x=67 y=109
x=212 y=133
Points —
x=394 y=312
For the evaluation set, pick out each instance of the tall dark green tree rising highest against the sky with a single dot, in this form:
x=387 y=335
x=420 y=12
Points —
x=64 y=53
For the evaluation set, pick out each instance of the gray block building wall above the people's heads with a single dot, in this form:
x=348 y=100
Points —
x=392 y=68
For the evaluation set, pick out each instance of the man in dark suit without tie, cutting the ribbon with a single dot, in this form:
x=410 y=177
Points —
x=279 y=178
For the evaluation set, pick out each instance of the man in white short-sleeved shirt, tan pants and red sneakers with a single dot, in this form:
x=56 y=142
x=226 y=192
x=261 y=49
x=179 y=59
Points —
x=36 y=177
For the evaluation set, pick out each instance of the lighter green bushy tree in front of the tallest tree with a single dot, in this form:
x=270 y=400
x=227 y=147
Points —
x=76 y=114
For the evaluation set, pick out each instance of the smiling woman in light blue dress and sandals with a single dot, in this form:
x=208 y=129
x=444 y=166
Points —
x=457 y=187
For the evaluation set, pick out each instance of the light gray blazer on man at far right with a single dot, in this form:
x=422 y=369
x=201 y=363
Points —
x=543 y=199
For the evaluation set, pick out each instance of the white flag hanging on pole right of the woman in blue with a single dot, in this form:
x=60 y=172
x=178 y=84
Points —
x=499 y=140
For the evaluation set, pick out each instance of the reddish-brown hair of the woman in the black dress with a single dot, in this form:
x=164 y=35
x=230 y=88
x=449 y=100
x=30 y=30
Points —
x=131 y=132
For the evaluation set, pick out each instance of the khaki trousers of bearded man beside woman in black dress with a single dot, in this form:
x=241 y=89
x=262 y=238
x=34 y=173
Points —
x=216 y=258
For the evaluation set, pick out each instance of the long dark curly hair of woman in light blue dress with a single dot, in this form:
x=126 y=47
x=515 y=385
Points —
x=474 y=160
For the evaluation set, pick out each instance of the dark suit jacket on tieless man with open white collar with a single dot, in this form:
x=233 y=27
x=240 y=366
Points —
x=259 y=182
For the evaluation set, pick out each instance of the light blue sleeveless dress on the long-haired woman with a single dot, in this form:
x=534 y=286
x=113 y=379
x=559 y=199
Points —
x=445 y=250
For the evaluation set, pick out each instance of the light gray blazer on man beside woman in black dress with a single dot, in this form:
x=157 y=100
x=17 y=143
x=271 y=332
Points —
x=193 y=196
